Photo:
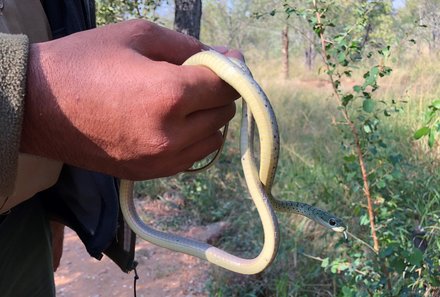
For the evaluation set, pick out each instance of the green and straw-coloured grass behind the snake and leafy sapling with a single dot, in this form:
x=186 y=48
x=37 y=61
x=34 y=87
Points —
x=311 y=169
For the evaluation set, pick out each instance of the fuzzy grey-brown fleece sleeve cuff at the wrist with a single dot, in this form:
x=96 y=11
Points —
x=14 y=51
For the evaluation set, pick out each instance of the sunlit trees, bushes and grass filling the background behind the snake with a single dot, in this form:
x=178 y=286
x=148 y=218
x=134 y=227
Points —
x=349 y=81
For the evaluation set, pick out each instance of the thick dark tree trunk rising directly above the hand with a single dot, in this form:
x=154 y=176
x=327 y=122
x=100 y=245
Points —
x=187 y=17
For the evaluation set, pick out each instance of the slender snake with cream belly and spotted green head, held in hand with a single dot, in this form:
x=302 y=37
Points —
x=258 y=174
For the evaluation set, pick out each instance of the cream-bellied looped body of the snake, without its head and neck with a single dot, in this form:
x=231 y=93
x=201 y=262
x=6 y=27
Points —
x=236 y=75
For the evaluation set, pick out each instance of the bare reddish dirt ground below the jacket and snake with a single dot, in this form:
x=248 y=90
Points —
x=161 y=272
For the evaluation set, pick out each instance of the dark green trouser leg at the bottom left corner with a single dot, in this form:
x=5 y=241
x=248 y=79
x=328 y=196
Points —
x=25 y=252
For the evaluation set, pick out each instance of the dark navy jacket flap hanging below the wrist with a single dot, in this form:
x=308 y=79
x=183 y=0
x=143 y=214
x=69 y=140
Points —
x=88 y=203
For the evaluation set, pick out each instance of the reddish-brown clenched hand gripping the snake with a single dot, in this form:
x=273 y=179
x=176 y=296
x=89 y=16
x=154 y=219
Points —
x=117 y=100
